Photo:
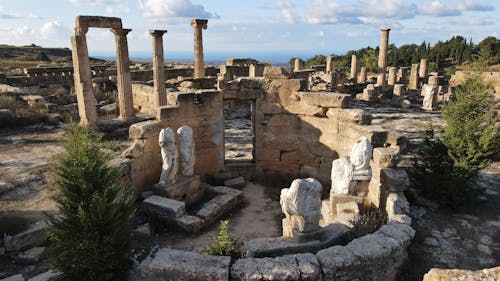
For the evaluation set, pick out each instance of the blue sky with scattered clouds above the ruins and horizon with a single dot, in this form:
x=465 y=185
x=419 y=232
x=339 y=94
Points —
x=255 y=28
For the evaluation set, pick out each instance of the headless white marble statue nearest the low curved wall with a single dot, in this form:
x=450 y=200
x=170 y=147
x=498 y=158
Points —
x=303 y=199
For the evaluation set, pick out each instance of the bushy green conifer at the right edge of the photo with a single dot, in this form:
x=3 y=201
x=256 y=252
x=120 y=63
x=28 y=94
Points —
x=471 y=135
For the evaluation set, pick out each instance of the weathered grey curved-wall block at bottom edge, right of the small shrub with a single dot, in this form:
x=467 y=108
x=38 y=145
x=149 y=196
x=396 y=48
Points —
x=300 y=267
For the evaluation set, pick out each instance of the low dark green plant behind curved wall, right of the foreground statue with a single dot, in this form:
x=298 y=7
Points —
x=368 y=221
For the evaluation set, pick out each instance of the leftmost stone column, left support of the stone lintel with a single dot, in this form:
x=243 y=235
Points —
x=83 y=78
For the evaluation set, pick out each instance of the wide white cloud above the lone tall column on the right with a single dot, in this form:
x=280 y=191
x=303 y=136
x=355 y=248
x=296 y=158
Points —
x=361 y=11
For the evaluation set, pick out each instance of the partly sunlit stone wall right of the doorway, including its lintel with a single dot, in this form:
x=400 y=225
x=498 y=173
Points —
x=299 y=134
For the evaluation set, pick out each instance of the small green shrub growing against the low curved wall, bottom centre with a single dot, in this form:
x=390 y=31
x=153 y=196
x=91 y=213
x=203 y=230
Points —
x=224 y=244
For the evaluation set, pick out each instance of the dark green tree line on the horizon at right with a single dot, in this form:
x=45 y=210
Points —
x=455 y=51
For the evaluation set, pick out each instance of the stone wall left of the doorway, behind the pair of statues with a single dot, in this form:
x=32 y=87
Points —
x=202 y=111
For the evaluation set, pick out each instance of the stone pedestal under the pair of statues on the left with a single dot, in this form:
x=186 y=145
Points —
x=186 y=189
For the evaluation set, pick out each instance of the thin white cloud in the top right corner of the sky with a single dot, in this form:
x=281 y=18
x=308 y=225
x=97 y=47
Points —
x=452 y=8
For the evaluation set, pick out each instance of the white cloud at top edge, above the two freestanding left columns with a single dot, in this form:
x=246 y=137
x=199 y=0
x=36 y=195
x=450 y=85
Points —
x=170 y=10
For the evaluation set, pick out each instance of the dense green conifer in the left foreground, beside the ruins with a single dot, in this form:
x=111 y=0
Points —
x=91 y=236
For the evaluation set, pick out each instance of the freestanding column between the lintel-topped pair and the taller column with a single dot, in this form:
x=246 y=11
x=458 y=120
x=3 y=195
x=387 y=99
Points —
x=160 y=96
